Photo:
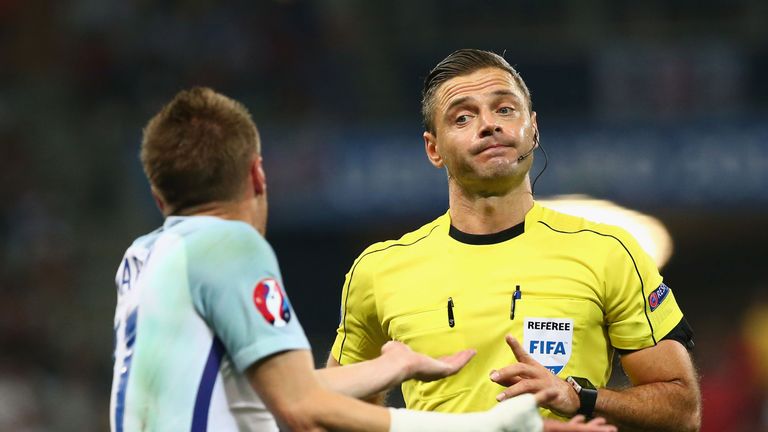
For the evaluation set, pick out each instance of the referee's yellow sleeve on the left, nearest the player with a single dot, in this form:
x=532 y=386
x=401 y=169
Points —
x=359 y=336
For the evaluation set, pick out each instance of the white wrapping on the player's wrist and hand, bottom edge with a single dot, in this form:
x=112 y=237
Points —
x=518 y=414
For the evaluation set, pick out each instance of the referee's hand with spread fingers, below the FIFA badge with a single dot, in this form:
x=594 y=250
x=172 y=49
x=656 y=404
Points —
x=529 y=376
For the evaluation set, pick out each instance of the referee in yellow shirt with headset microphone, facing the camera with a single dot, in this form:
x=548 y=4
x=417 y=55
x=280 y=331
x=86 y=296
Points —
x=568 y=291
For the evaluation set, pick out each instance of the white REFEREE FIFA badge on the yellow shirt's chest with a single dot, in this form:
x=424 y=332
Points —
x=549 y=341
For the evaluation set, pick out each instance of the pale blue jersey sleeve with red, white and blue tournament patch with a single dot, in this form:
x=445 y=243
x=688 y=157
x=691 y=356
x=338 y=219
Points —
x=238 y=290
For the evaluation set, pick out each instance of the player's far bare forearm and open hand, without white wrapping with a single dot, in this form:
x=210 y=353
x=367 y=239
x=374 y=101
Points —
x=397 y=363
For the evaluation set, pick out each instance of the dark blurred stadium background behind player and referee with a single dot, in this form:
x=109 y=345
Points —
x=660 y=106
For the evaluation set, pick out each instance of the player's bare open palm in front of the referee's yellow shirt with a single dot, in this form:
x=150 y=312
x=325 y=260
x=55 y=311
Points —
x=422 y=367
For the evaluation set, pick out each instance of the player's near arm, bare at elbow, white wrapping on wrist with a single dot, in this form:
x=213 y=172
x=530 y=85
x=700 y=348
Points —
x=289 y=388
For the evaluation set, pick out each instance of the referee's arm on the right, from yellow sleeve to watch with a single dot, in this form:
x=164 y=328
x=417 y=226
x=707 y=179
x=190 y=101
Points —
x=664 y=395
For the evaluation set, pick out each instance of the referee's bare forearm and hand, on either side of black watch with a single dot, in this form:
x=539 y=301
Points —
x=664 y=395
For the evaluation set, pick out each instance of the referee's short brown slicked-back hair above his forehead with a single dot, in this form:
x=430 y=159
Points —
x=458 y=63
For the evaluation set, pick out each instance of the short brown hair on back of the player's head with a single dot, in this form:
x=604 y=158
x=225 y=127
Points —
x=198 y=149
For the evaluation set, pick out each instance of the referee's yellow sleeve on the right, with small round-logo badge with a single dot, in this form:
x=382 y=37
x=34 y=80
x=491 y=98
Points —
x=640 y=308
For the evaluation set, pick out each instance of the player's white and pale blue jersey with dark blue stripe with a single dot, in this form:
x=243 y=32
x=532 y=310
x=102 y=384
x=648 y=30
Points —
x=199 y=301
